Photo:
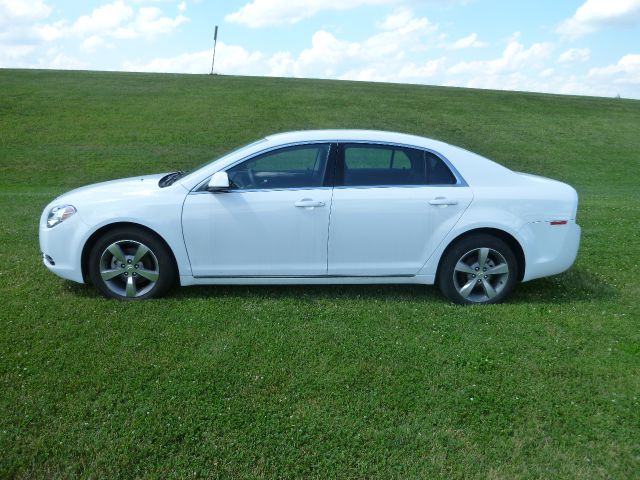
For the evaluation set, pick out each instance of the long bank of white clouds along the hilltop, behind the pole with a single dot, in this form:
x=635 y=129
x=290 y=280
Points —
x=397 y=54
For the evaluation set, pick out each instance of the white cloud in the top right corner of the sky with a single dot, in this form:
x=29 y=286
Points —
x=596 y=14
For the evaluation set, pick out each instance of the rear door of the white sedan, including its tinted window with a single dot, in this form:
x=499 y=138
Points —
x=391 y=207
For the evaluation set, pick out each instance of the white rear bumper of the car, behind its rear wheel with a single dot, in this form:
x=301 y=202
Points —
x=551 y=249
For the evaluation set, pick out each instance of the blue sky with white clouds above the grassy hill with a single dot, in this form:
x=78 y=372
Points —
x=583 y=47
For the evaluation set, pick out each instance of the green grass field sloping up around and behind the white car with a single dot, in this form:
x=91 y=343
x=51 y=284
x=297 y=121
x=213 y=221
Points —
x=314 y=382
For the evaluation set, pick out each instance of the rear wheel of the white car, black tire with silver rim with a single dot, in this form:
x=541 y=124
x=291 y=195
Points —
x=479 y=269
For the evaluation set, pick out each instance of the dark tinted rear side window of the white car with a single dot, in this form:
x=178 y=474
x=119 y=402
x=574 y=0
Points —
x=381 y=165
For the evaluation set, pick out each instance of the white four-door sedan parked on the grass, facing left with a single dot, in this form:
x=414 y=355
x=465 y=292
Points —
x=318 y=207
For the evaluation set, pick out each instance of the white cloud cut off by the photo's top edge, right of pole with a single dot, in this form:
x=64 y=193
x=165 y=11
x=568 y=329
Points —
x=262 y=13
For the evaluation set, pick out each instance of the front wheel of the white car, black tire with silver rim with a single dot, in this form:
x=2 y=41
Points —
x=131 y=264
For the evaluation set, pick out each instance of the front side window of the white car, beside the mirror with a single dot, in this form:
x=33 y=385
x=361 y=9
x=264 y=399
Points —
x=301 y=166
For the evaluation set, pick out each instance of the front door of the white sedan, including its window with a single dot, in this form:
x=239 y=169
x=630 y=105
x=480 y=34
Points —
x=273 y=221
